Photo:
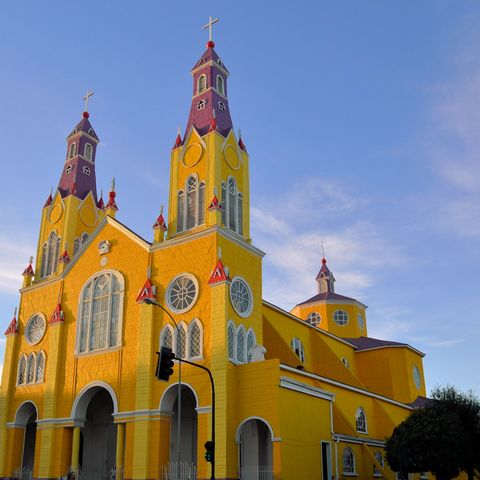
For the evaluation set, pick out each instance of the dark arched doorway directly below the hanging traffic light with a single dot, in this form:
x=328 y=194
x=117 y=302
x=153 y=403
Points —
x=188 y=431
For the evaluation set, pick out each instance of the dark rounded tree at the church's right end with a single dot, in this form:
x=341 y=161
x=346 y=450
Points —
x=442 y=437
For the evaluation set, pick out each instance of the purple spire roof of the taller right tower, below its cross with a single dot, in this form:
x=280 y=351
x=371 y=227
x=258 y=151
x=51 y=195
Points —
x=209 y=100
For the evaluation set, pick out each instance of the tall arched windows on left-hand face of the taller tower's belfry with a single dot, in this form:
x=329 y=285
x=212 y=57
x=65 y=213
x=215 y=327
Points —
x=191 y=204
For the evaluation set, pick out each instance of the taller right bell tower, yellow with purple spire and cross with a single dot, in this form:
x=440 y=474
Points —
x=209 y=172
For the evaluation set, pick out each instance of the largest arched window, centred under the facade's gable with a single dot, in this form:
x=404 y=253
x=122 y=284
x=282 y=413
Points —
x=100 y=315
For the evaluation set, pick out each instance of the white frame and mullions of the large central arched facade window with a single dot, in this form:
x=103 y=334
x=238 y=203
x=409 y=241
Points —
x=120 y=294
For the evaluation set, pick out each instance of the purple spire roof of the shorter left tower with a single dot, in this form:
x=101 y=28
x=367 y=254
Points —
x=78 y=175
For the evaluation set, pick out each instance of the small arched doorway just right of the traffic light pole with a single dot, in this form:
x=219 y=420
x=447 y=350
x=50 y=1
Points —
x=254 y=437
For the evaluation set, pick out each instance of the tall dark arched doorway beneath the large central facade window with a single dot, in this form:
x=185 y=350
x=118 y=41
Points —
x=98 y=436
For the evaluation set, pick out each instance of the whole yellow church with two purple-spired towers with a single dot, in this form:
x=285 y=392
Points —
x=300 y=394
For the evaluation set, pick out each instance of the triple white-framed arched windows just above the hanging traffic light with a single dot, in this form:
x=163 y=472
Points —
x=186 y=342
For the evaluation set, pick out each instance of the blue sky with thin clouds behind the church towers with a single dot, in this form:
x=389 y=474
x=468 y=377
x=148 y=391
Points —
x=362 y=123
